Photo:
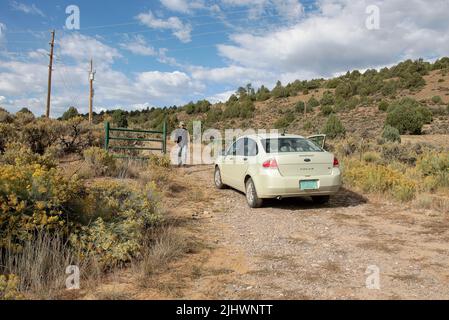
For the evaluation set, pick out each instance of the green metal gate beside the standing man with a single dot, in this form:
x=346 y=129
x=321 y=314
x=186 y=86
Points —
x=108 y=138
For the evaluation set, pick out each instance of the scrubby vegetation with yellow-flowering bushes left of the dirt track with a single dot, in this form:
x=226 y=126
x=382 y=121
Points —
x=52 y=217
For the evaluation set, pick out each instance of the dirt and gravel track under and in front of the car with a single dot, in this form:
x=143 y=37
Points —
x=292 y=249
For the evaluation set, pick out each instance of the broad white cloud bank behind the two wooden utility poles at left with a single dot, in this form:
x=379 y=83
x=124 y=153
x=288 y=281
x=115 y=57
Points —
x=24 y=83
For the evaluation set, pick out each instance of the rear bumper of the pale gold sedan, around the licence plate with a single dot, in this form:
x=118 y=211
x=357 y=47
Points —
x=270 y=184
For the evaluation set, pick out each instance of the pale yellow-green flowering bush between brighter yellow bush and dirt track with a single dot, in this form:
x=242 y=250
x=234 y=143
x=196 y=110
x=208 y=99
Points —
x=117 y=215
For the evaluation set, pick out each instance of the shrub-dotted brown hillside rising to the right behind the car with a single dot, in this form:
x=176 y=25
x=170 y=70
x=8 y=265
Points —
x=360 y=100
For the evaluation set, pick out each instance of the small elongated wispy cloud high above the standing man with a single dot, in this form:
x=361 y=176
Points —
x=179 y=29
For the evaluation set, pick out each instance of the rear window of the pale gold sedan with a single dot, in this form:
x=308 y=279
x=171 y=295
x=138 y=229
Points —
x=288 y=145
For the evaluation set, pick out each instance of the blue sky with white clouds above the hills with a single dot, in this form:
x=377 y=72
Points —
x=169 y=52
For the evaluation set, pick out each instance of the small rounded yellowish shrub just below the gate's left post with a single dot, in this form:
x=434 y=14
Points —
x=100 y=162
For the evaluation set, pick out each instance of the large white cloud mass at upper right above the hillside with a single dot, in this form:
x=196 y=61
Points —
x=332 y=41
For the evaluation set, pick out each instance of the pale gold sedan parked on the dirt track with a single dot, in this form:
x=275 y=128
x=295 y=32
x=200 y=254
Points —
x=279 y=166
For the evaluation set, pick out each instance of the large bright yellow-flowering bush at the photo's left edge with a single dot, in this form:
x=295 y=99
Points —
x=34 y=197
